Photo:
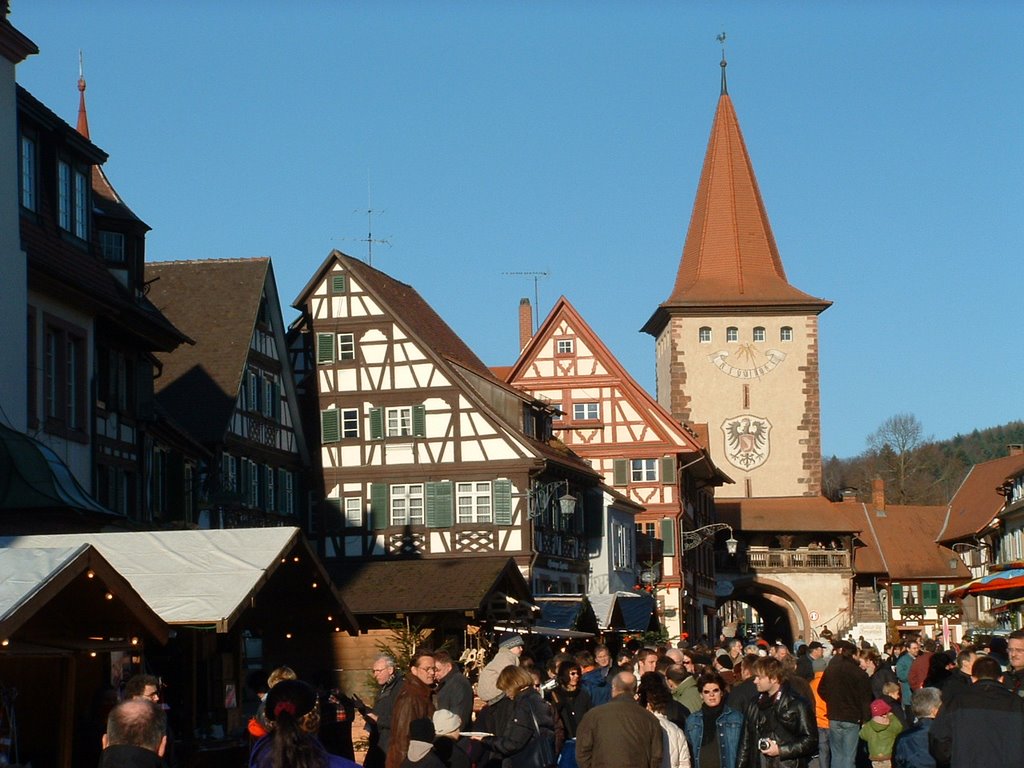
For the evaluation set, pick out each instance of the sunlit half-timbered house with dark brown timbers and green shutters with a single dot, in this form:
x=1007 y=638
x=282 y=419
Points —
x=425 y=454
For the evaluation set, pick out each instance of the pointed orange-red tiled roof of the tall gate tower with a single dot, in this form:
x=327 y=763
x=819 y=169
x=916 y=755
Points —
x=731 y=259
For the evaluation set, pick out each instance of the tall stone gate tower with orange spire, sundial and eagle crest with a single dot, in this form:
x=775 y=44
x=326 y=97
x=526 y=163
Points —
x=737 y=344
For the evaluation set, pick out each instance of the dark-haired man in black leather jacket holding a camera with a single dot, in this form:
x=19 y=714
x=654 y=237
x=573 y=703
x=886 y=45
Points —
x=780 y=723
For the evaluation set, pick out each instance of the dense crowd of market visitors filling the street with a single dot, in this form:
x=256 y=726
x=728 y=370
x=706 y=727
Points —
x=831 y=704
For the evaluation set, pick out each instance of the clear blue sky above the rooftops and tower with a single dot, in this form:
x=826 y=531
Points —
x=888 y=140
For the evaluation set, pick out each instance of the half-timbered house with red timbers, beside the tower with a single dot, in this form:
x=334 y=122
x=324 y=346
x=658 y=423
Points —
x=642 y=452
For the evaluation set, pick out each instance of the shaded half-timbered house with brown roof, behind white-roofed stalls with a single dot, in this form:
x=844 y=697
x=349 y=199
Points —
x=233 y=392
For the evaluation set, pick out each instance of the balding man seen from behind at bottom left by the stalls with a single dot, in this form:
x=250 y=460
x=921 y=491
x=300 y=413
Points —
x=137 y=736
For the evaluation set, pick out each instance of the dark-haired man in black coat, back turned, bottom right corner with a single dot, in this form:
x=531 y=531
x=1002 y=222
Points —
x=983 y=726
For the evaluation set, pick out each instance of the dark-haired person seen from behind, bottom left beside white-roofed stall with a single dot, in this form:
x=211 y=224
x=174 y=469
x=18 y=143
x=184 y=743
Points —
x=293 y=717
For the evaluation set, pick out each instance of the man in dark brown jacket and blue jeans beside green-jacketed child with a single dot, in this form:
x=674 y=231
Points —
x=846 y=690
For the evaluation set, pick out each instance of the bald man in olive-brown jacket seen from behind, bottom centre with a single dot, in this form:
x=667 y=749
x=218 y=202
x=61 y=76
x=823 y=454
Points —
x=620 y=734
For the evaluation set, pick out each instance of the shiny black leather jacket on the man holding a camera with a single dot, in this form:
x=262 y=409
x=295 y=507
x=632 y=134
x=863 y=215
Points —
x=786 y=717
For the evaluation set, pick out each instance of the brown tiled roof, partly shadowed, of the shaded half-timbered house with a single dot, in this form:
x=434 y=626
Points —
x=217 y=303
